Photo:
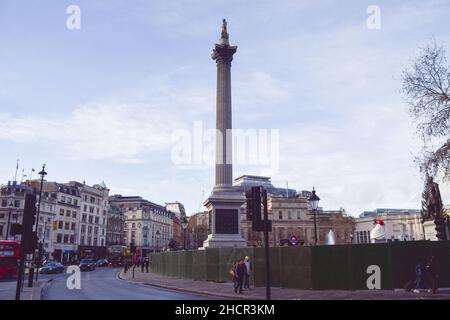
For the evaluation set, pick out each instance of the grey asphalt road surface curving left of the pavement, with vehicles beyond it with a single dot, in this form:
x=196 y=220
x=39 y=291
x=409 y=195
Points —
x=103 y=284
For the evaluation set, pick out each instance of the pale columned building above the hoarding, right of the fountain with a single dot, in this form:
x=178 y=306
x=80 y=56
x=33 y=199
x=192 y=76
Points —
x=400 y=225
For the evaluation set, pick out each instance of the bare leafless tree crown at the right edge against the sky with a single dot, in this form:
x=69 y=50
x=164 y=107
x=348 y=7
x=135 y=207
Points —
x=426 y=87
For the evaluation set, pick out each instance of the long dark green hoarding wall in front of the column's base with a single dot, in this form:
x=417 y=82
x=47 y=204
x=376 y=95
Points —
x=343 y=267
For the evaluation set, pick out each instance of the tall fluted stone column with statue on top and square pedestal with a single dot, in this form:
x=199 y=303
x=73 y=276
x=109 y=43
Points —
x=225 y=202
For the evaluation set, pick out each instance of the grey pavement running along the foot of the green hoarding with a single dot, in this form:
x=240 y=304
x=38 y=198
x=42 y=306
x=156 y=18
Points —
x=225 y=290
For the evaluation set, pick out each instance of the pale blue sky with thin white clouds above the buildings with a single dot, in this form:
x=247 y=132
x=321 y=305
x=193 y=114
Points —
x=107 y=101
